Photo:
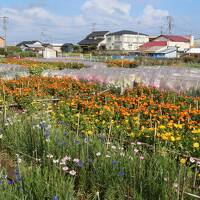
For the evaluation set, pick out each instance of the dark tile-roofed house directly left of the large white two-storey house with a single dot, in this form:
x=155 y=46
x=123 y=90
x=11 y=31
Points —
x=94 y=41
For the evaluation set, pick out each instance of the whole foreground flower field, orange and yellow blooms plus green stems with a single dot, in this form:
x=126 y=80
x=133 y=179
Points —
x=62 y=138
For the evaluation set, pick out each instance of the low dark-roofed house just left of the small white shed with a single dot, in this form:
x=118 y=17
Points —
x=35 y=46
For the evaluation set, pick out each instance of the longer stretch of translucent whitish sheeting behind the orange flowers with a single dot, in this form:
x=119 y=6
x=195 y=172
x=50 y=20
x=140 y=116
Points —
x=169 y=78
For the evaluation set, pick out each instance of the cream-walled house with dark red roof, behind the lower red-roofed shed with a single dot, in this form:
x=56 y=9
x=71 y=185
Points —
x=181 y=42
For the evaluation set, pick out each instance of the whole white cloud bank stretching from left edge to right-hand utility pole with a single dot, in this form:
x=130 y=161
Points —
x=38 y=23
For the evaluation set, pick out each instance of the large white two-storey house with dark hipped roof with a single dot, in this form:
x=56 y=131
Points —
x=125 y=40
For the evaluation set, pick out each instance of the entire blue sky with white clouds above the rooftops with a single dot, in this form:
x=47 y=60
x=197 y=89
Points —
x=63 y=21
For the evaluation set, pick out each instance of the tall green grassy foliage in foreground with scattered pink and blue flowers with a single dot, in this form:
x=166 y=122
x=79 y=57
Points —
x=105 y=168
